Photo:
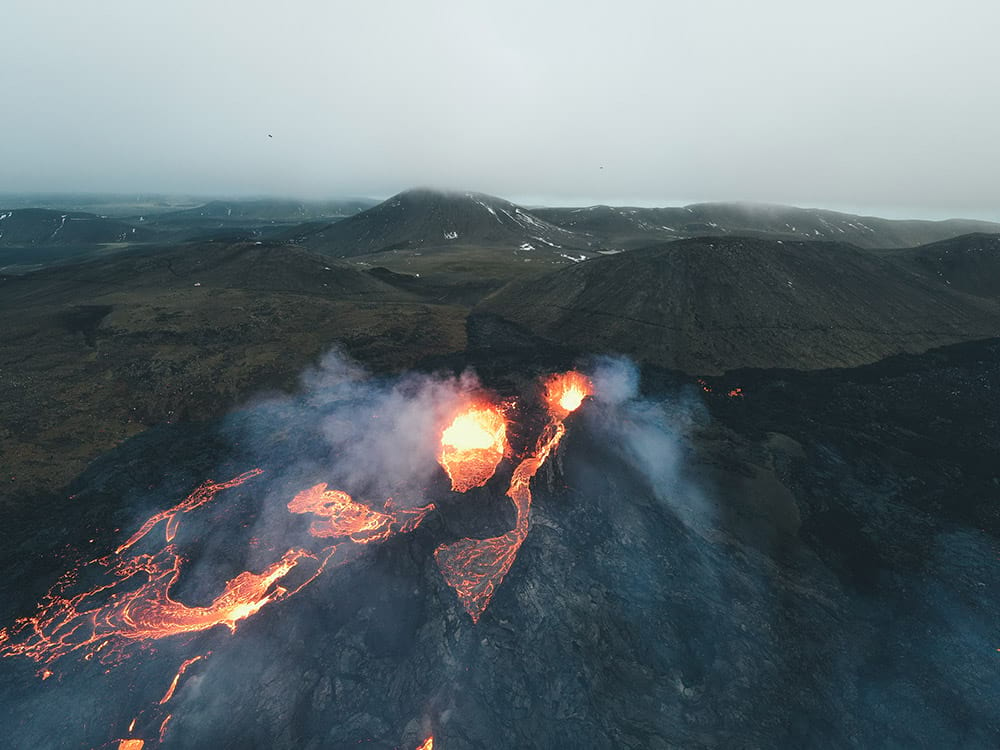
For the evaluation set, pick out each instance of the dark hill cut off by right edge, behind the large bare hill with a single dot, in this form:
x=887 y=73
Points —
x=970 y=263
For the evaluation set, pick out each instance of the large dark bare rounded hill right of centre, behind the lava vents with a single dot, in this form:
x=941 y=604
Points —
x=713 y=304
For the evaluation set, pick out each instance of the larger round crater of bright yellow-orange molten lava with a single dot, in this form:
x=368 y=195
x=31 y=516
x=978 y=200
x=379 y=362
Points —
x=473 y=445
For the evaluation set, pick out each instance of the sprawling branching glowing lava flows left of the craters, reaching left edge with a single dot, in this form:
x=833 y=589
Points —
x=134 y=604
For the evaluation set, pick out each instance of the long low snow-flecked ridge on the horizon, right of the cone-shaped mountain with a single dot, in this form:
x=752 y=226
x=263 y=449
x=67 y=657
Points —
x=628 y=228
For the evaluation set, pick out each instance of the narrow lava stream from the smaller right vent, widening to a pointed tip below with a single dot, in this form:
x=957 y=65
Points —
x=475 y=568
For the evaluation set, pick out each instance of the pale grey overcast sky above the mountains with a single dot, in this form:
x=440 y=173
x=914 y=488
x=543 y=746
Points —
x=884 y=106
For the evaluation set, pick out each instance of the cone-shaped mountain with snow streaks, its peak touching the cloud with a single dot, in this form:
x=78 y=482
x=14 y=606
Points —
x=430 y=219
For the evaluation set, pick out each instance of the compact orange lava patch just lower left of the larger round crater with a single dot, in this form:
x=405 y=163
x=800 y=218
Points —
x=341 y=516
